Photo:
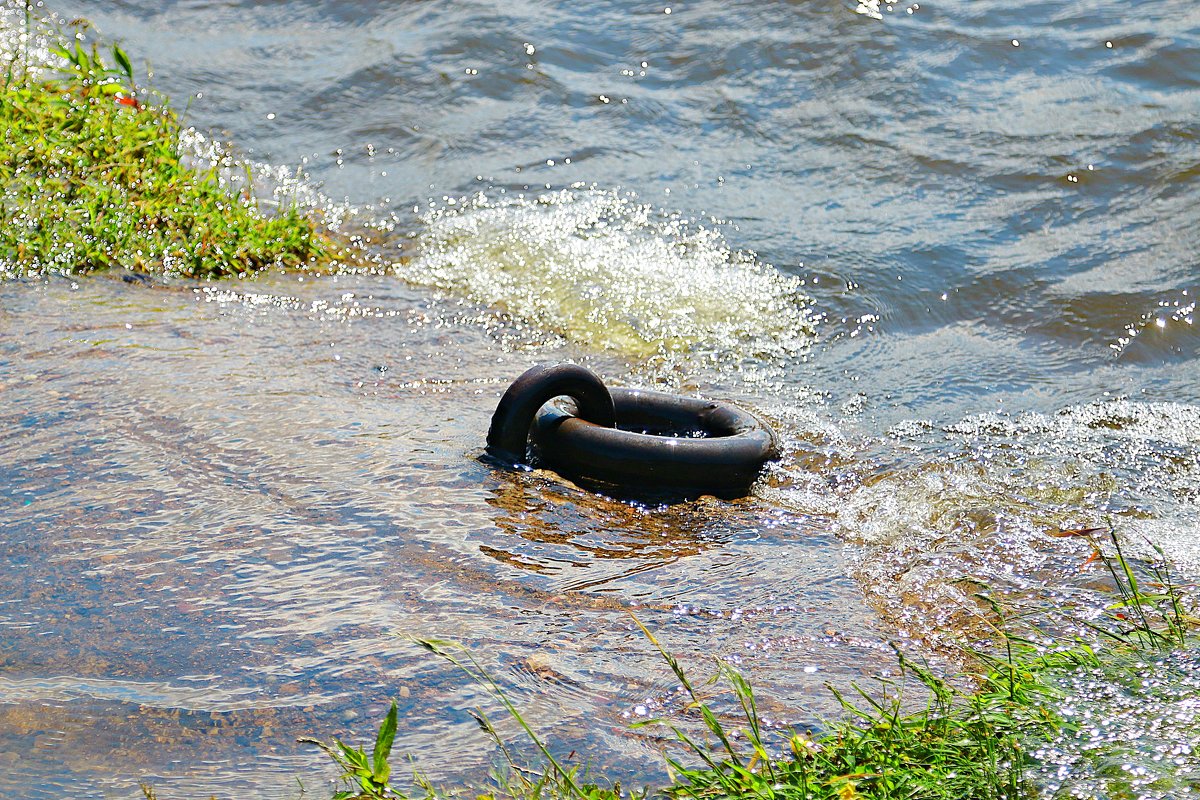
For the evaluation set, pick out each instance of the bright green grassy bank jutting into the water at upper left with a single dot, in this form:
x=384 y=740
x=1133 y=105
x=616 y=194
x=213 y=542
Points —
x=93 y=176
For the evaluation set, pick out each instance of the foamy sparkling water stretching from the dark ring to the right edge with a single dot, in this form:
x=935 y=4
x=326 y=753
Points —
x=935 y=510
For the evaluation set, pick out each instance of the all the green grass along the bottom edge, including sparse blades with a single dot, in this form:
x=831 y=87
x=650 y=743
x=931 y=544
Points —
x=968 y=739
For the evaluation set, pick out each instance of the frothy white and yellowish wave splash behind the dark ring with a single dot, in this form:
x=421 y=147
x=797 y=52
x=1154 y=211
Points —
x=602 y=269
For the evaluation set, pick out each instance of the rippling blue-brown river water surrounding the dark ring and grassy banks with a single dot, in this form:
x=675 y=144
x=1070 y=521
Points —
x=947 y=249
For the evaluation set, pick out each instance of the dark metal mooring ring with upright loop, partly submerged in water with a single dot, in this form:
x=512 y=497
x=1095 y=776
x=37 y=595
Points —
x=633 y=441
